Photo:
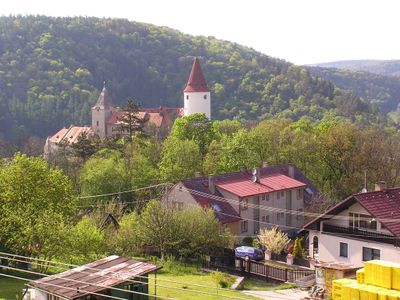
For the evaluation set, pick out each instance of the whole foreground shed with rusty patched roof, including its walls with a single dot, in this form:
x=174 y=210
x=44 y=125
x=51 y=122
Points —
x=109 y=276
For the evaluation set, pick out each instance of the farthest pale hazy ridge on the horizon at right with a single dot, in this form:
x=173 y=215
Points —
x=383 y=67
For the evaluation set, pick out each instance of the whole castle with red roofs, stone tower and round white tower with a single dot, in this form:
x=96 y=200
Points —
x=196 y=98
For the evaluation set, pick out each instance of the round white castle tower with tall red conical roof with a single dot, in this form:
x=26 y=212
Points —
x=197 y=96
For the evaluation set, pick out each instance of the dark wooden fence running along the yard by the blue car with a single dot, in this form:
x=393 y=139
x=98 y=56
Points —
x=253 y=268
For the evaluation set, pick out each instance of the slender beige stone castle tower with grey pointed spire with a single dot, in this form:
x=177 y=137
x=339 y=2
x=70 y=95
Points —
x=100 y=113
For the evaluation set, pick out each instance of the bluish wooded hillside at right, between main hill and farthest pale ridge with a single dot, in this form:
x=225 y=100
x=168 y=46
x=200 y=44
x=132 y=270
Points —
x=379 y=90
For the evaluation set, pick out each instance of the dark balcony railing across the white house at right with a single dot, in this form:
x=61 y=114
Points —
x=360 y=233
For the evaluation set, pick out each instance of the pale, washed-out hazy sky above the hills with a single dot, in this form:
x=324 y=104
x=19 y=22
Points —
x=300 y=31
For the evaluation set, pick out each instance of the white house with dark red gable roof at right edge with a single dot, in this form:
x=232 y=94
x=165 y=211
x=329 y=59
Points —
x=362 y=227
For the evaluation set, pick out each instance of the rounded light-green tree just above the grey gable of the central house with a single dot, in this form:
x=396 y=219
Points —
x=180 y=159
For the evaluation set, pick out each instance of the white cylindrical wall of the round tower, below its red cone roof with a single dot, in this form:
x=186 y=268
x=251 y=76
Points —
x=194 y=102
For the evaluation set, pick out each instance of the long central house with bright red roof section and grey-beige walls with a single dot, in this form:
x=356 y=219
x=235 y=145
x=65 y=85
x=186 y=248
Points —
x=247 y=201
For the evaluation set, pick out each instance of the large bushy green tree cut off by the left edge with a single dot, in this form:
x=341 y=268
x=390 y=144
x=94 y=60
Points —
x=36 y=203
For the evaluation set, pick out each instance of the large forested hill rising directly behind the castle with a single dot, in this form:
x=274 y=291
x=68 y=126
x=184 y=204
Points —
x=52 y=70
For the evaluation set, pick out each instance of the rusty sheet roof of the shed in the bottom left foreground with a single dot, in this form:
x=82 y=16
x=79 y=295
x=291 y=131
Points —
x=94 y=277
